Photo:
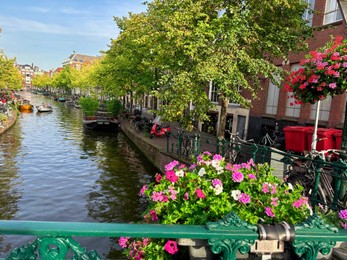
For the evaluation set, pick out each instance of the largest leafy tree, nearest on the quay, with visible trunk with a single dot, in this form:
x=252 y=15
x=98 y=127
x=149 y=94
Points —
x=231 y=43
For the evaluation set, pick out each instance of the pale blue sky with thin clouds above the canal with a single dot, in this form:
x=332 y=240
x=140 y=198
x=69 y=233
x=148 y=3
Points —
x=46 y=32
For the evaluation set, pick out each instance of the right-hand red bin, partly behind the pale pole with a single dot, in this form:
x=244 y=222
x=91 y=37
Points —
x=325 y=139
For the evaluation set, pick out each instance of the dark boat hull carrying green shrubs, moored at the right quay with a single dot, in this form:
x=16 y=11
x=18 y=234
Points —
x=101 y=121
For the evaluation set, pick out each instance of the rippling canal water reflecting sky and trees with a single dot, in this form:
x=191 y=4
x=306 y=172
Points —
x=51 y=169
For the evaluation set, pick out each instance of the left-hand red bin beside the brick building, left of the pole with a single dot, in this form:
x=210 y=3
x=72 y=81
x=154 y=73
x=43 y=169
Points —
x=295 y=138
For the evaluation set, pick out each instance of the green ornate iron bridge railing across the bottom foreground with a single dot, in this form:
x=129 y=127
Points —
x=226 y=237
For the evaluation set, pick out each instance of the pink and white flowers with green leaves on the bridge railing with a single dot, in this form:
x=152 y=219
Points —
x=210 y=189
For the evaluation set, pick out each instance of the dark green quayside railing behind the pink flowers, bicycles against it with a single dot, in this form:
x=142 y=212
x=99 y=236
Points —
x=323 y=177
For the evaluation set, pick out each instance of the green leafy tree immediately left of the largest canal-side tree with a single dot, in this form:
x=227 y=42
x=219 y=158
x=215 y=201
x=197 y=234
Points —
x=127 y=66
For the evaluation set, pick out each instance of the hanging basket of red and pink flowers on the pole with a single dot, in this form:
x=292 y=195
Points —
x=322 y=73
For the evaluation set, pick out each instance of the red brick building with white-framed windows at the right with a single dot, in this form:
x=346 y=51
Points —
x=274 y=106
